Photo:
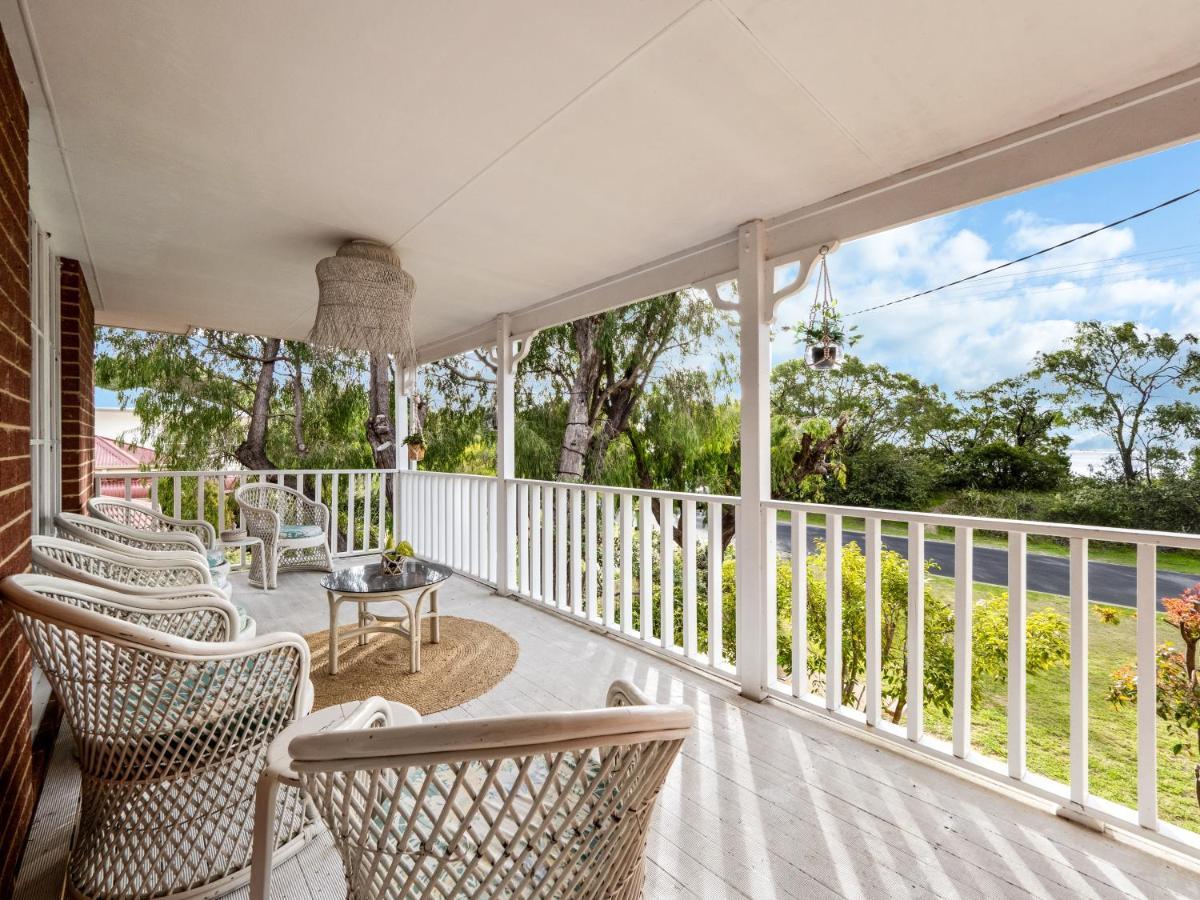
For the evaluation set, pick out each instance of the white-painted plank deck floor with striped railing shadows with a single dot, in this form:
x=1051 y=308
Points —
x=766 y=802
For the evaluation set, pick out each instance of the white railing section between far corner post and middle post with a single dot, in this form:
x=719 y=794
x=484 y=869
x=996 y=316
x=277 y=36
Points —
x=451 y=520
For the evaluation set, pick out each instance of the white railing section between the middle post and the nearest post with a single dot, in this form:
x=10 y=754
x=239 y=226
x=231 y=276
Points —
x=598 y=556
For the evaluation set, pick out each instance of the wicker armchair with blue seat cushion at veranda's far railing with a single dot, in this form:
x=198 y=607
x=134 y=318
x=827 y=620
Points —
x=268 y=511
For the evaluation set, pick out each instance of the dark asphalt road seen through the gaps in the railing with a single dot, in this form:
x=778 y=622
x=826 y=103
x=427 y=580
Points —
x=1108 y=583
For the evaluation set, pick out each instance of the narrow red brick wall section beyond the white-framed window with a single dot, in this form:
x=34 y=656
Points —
x=79 y=405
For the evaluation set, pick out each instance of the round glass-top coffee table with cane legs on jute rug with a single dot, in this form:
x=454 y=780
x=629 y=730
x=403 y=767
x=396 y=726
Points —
x=365 y=585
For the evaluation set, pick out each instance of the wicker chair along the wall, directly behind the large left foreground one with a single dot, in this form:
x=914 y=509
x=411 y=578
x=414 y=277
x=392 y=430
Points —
x=133 y=572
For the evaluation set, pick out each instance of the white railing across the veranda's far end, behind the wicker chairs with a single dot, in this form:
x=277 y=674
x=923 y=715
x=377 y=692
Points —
x=361 y=517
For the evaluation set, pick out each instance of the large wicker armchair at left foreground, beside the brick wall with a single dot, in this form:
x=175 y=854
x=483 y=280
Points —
x=171 y=736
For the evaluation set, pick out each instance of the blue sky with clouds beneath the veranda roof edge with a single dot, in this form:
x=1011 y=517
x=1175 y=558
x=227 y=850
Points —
x=1147 y=272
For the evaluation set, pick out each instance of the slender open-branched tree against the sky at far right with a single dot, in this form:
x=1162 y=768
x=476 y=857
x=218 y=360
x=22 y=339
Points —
x=1125 y=382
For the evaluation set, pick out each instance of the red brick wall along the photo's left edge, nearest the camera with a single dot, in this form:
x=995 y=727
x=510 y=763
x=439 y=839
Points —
x=17 y=781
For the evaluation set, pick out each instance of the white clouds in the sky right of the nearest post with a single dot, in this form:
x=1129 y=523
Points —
x=994 y=327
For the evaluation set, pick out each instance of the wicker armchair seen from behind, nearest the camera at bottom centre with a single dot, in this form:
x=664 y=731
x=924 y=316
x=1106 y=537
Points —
x=547 y=806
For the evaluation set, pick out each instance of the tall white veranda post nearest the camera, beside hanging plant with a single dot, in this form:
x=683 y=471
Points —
x=755 y=298
